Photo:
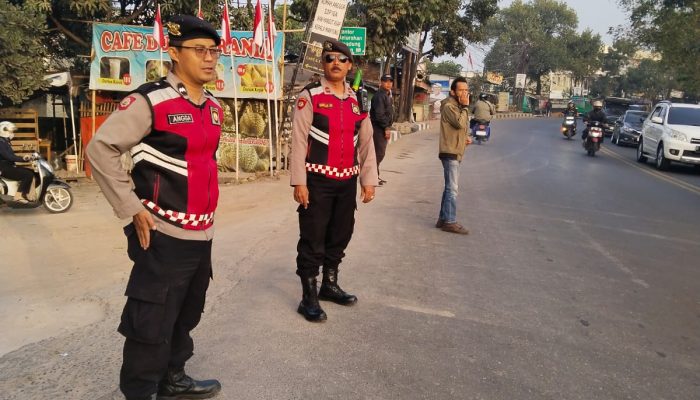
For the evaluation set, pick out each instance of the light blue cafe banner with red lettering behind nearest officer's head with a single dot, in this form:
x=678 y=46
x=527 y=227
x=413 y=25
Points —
x=124 y=57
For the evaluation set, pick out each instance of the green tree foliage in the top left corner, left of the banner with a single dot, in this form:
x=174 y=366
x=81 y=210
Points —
x=21 y=53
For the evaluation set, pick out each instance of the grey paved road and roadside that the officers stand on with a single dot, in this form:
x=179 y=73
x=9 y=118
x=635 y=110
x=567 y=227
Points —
x=579 y=280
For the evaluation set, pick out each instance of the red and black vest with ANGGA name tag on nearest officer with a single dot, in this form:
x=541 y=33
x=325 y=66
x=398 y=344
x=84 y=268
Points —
x=175 y=171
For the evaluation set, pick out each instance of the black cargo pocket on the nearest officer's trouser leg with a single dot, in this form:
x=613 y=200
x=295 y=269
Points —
x=144 y=315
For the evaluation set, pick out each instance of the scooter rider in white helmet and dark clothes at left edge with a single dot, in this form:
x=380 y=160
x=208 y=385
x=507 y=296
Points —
x=8 y=158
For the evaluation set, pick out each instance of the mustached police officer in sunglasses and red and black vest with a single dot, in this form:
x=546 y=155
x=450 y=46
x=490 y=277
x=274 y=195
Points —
x=331 y=147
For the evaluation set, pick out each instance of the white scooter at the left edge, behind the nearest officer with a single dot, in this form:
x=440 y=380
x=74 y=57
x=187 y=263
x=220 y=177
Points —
x=53 y=193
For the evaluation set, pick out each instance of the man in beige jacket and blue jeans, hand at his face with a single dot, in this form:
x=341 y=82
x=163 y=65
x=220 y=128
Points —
x=454 y=138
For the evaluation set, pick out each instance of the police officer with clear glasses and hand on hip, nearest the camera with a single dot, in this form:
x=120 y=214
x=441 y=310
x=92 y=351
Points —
x=171 y=129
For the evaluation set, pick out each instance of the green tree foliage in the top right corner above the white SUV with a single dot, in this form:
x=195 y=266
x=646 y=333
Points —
x=672 y=28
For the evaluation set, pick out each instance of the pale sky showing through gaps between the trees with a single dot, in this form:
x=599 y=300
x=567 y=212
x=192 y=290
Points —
x=598 y=15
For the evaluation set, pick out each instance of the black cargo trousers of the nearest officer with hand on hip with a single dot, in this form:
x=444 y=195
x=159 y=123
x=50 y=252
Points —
x=166 y=293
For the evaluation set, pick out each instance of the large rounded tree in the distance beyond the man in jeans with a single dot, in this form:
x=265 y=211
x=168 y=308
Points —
x=532 y=37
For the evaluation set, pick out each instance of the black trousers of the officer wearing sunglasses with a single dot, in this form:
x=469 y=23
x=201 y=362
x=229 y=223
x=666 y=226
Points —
x=326 y=226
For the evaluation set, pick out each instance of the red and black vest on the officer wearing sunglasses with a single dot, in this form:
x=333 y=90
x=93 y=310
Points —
x=334 y=134
